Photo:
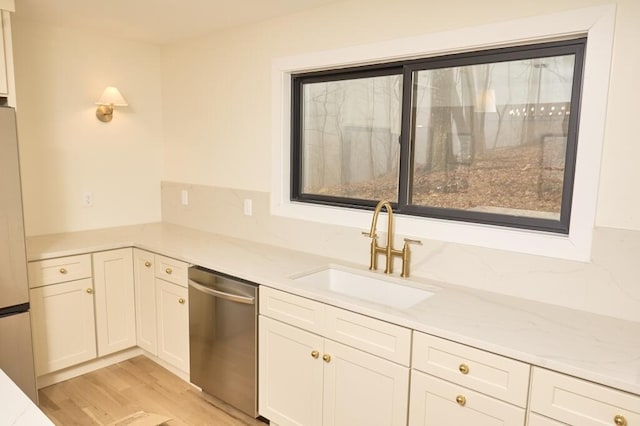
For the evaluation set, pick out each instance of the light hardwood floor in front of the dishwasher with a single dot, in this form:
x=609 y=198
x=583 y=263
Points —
x=139 y=384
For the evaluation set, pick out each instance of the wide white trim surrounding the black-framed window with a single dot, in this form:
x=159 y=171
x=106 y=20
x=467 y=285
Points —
x=596 y=24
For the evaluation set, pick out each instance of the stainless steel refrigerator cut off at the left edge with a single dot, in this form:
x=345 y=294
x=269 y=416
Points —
x=16 y=353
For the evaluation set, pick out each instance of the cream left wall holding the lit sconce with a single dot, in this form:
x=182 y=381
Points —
x=65 y=151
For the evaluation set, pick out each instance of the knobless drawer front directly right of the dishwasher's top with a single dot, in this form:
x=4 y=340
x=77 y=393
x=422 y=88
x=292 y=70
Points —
x=294 y=310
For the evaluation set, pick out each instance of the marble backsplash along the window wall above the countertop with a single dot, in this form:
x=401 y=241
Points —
x=608 y=285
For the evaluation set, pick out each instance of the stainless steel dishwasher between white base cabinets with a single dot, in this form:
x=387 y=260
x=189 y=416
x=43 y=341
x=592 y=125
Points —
x=223 y=324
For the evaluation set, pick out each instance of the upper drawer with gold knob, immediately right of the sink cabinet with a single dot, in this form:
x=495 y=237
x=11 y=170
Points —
x=482 y=371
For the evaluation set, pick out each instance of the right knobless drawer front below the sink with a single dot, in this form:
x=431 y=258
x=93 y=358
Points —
x=377 y=337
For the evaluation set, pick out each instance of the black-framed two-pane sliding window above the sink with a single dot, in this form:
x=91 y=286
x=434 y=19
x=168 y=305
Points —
x=485 y=137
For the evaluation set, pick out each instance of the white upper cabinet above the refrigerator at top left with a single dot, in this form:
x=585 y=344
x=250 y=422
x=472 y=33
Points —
x=7 y=83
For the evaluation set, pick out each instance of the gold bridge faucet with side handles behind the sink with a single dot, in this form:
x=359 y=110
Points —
x=389 y=251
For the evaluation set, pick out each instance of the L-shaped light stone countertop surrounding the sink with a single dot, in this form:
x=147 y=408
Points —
x=597 y=348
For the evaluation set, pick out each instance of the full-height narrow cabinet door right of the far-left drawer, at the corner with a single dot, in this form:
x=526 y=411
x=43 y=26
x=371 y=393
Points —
x=115 y=300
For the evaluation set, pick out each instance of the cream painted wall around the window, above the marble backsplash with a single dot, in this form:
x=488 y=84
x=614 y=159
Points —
x=218 y=90
